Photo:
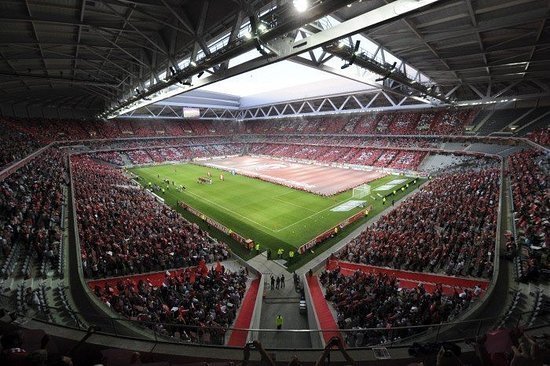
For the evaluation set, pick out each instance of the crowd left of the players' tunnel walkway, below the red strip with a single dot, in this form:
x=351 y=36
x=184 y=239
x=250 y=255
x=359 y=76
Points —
x=196 y=305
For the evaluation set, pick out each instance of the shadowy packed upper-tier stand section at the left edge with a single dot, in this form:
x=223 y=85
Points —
x=30 y=213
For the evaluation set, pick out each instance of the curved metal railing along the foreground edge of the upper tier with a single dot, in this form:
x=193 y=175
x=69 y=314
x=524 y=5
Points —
x=273 y=338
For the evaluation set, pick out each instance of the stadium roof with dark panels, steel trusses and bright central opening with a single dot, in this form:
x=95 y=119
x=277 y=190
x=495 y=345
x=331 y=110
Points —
x=120 y=54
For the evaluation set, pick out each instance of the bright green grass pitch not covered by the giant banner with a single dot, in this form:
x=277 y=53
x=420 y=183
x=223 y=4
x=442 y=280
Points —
x=273 y=215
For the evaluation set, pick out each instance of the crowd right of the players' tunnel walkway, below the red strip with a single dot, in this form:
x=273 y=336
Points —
x=366 y=300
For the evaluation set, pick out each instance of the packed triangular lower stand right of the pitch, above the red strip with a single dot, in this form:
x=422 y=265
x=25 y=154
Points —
x=411 y=236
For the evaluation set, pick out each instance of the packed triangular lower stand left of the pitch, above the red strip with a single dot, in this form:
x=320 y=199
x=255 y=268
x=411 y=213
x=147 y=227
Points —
x=125 y=230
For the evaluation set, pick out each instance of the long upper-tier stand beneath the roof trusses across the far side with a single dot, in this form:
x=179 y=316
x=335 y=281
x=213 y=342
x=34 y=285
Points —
x=393 y=123
